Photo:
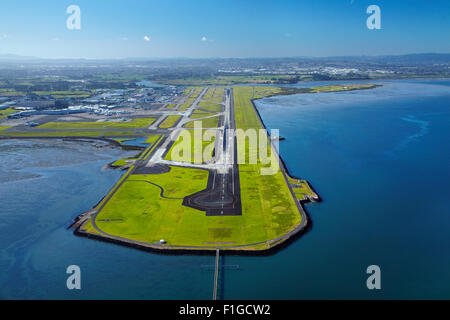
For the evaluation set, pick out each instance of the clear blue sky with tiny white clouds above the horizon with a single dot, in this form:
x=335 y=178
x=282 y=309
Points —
x=231 y=28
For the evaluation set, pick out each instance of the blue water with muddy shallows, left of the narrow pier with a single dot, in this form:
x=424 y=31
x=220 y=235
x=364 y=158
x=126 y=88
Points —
x=43 y=186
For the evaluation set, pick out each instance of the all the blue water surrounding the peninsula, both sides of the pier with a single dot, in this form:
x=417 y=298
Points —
x=378 y=158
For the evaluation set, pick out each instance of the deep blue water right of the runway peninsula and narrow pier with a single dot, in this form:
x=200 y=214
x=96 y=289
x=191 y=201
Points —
x=380 y=161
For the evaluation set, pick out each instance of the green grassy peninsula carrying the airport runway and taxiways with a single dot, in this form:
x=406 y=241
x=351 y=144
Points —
x=214 y=197
